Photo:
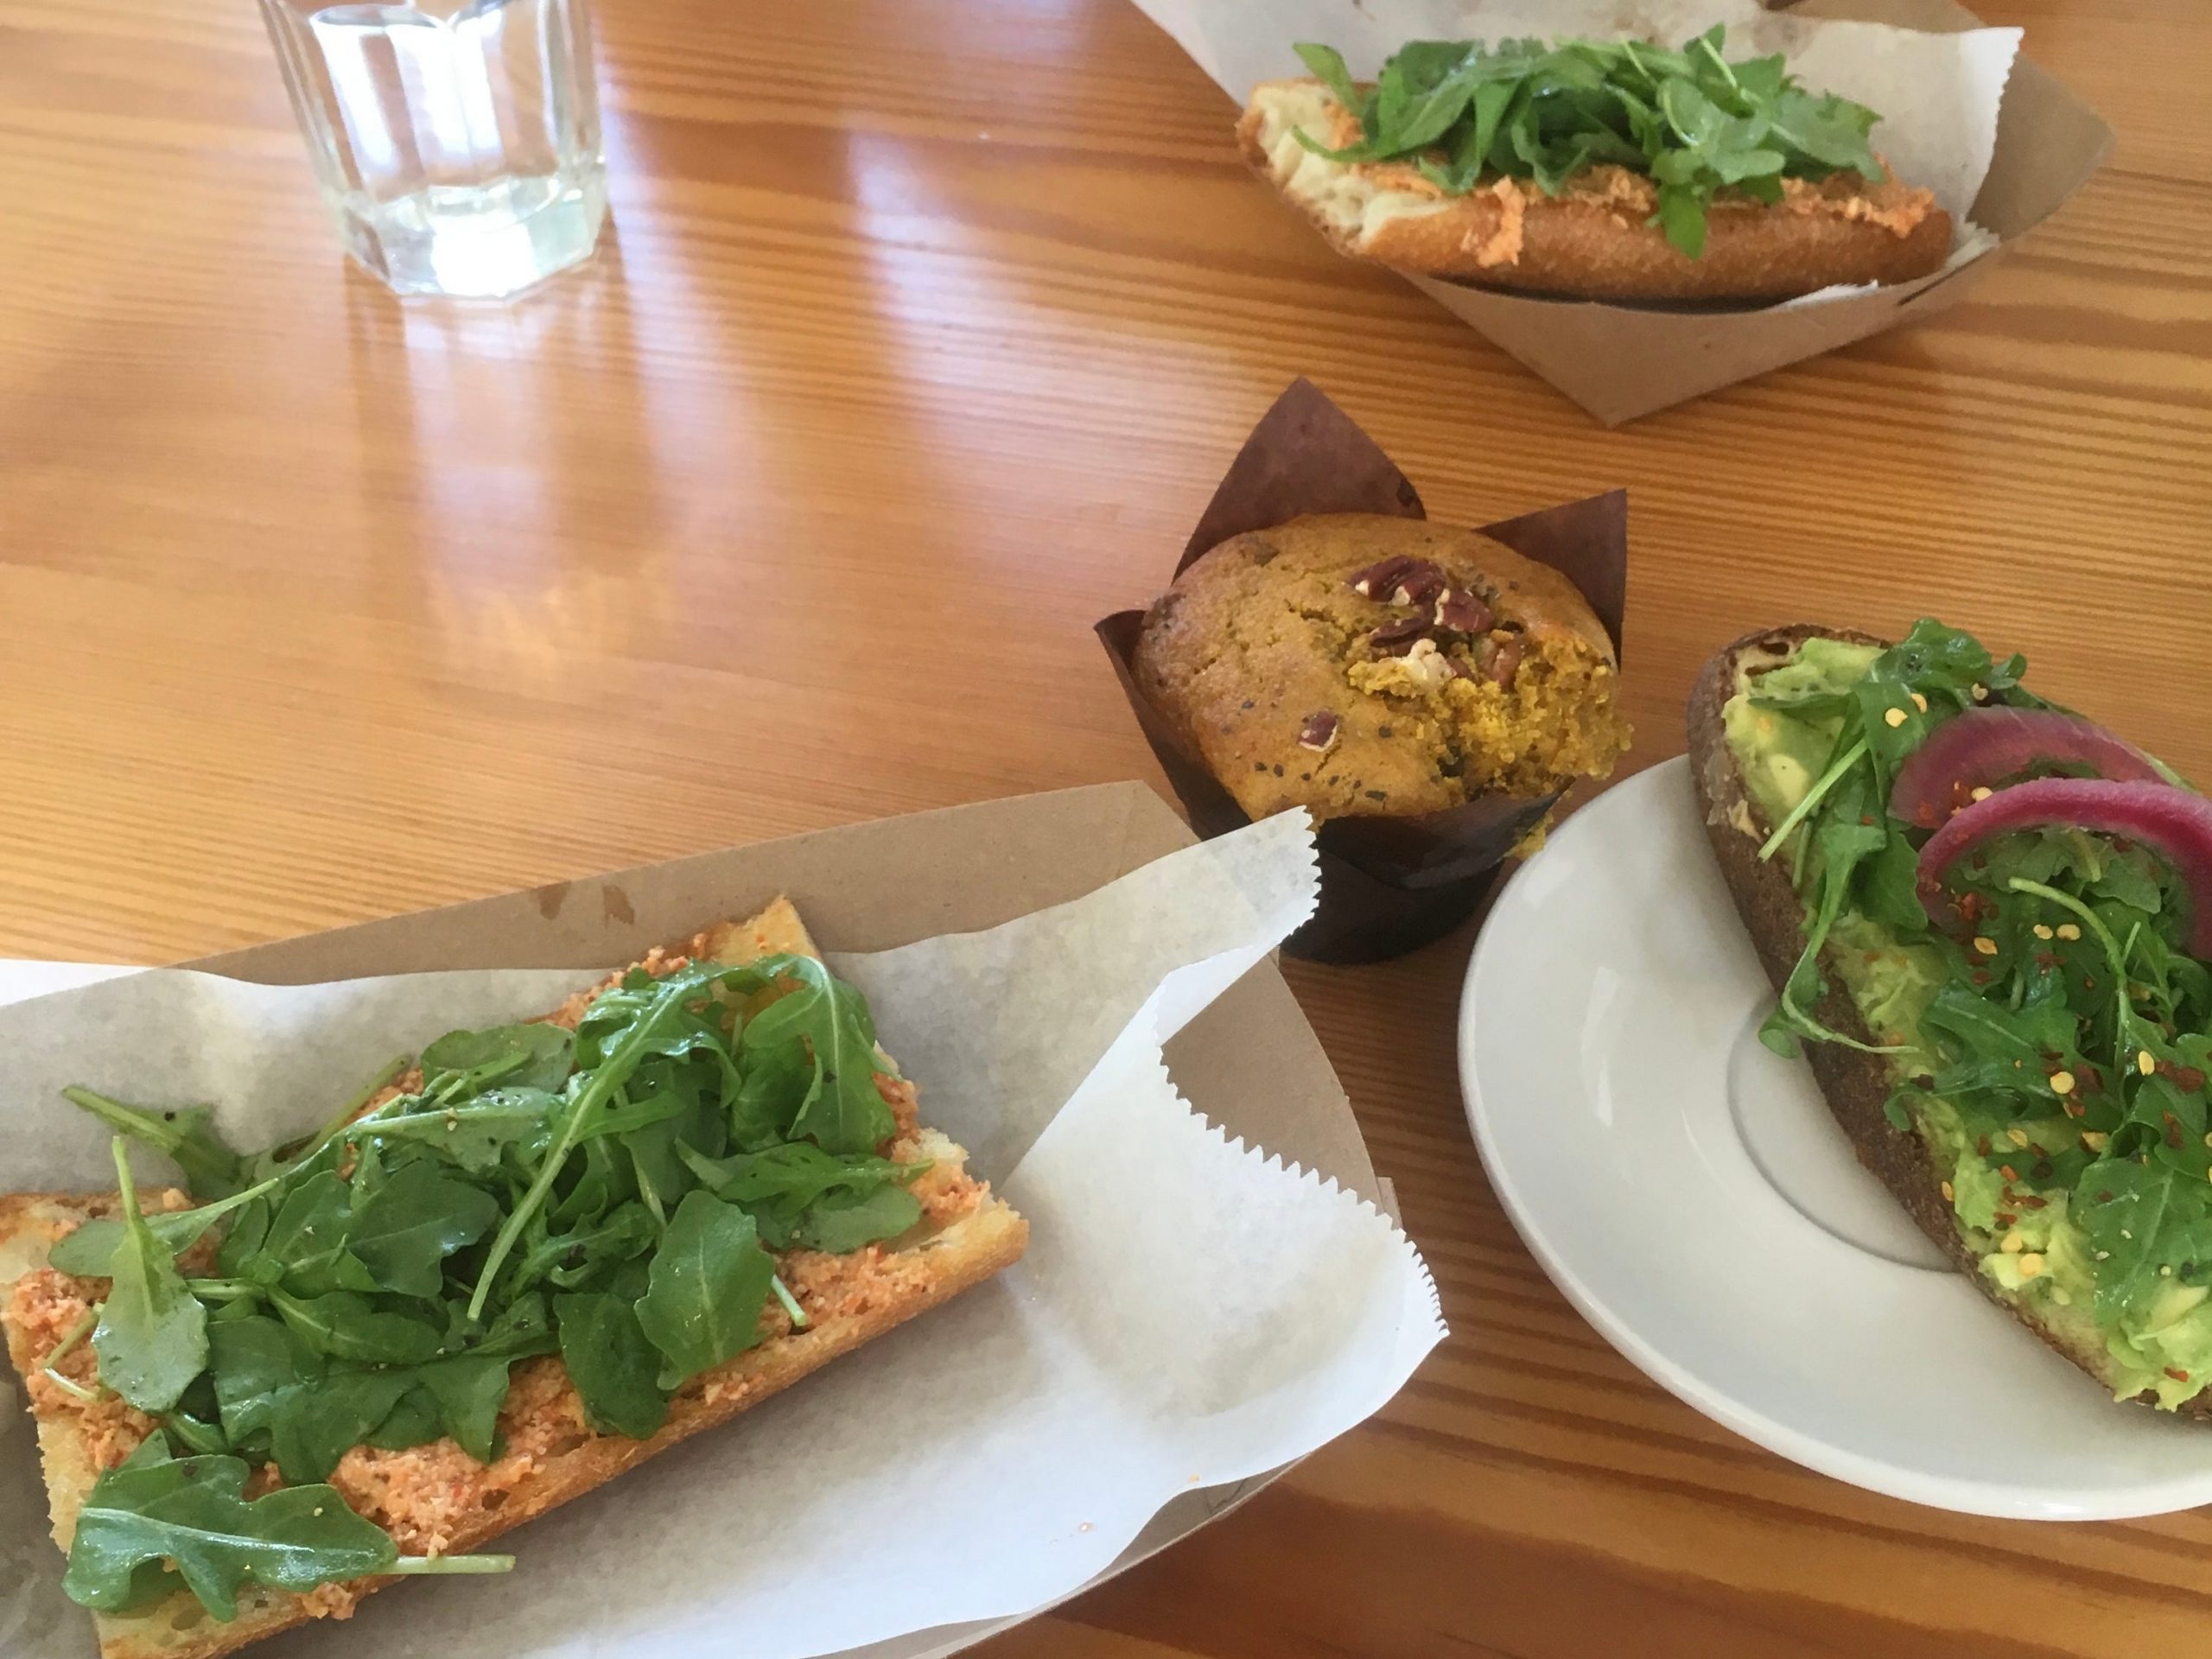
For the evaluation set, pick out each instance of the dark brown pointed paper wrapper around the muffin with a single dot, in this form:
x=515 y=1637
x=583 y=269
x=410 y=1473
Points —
x=1386 y=884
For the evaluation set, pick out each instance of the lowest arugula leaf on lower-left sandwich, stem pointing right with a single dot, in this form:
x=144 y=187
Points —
x=194 y=1516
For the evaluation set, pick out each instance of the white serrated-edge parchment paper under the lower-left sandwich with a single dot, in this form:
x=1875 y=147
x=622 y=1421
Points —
x=1191 y=1311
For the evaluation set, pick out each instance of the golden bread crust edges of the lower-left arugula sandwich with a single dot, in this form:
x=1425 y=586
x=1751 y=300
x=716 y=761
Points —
x=963 y=1253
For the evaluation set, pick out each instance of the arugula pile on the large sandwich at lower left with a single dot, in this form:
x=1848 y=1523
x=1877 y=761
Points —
x=609 y=1196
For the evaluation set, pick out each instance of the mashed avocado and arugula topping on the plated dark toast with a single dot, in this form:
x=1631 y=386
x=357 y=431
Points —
x=2069 y=1127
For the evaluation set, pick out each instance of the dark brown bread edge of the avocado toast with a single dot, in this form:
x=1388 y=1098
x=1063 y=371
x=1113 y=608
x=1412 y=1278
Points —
x=1855 y=1085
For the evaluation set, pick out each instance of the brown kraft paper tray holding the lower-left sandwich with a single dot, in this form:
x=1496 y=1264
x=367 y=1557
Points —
x=868 y=888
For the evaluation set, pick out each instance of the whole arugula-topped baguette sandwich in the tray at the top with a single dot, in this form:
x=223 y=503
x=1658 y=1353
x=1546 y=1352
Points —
x=1600 y=169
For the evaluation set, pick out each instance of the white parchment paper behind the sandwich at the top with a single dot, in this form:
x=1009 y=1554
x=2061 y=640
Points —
x=1939 y=94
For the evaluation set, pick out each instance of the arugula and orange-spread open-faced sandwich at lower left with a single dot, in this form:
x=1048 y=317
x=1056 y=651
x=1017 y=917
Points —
x=510 y=1271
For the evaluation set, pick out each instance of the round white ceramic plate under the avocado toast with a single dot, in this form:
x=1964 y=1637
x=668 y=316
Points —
x=1693 y=1198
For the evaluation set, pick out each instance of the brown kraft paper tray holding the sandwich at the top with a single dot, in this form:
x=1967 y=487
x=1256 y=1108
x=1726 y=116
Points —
x=1627 y=362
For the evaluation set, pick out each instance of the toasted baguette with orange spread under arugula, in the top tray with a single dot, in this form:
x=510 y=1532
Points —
x=1589 y=242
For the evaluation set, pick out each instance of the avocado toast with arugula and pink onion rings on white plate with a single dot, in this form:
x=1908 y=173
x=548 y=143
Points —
x=1992 y=928
